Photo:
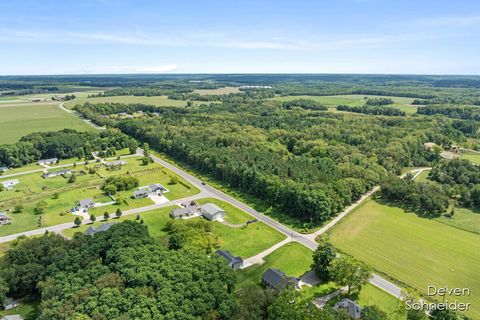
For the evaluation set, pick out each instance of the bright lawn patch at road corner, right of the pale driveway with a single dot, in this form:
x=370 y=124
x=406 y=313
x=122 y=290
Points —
x=294 y=259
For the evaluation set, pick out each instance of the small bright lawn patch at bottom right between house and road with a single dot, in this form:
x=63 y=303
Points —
x=371 y=295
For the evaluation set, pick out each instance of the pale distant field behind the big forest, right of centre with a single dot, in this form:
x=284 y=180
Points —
x=331 y=102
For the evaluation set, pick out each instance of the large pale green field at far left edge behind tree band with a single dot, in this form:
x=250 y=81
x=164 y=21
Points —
x=17 y=121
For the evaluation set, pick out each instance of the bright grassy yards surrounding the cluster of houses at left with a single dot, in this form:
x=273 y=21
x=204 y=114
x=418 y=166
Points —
x=61 y=196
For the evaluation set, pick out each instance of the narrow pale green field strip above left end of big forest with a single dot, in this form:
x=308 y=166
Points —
x=158 y=100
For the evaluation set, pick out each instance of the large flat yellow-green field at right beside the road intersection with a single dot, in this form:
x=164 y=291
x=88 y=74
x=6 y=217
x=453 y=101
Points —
x=416 y=251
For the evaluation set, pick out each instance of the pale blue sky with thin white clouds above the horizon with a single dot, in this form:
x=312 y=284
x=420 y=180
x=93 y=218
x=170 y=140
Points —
x=239 y=36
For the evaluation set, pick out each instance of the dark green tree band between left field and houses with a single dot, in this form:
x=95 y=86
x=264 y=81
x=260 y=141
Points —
x=62 y=144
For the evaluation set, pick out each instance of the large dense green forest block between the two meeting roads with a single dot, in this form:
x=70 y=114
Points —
x=307 y=163
